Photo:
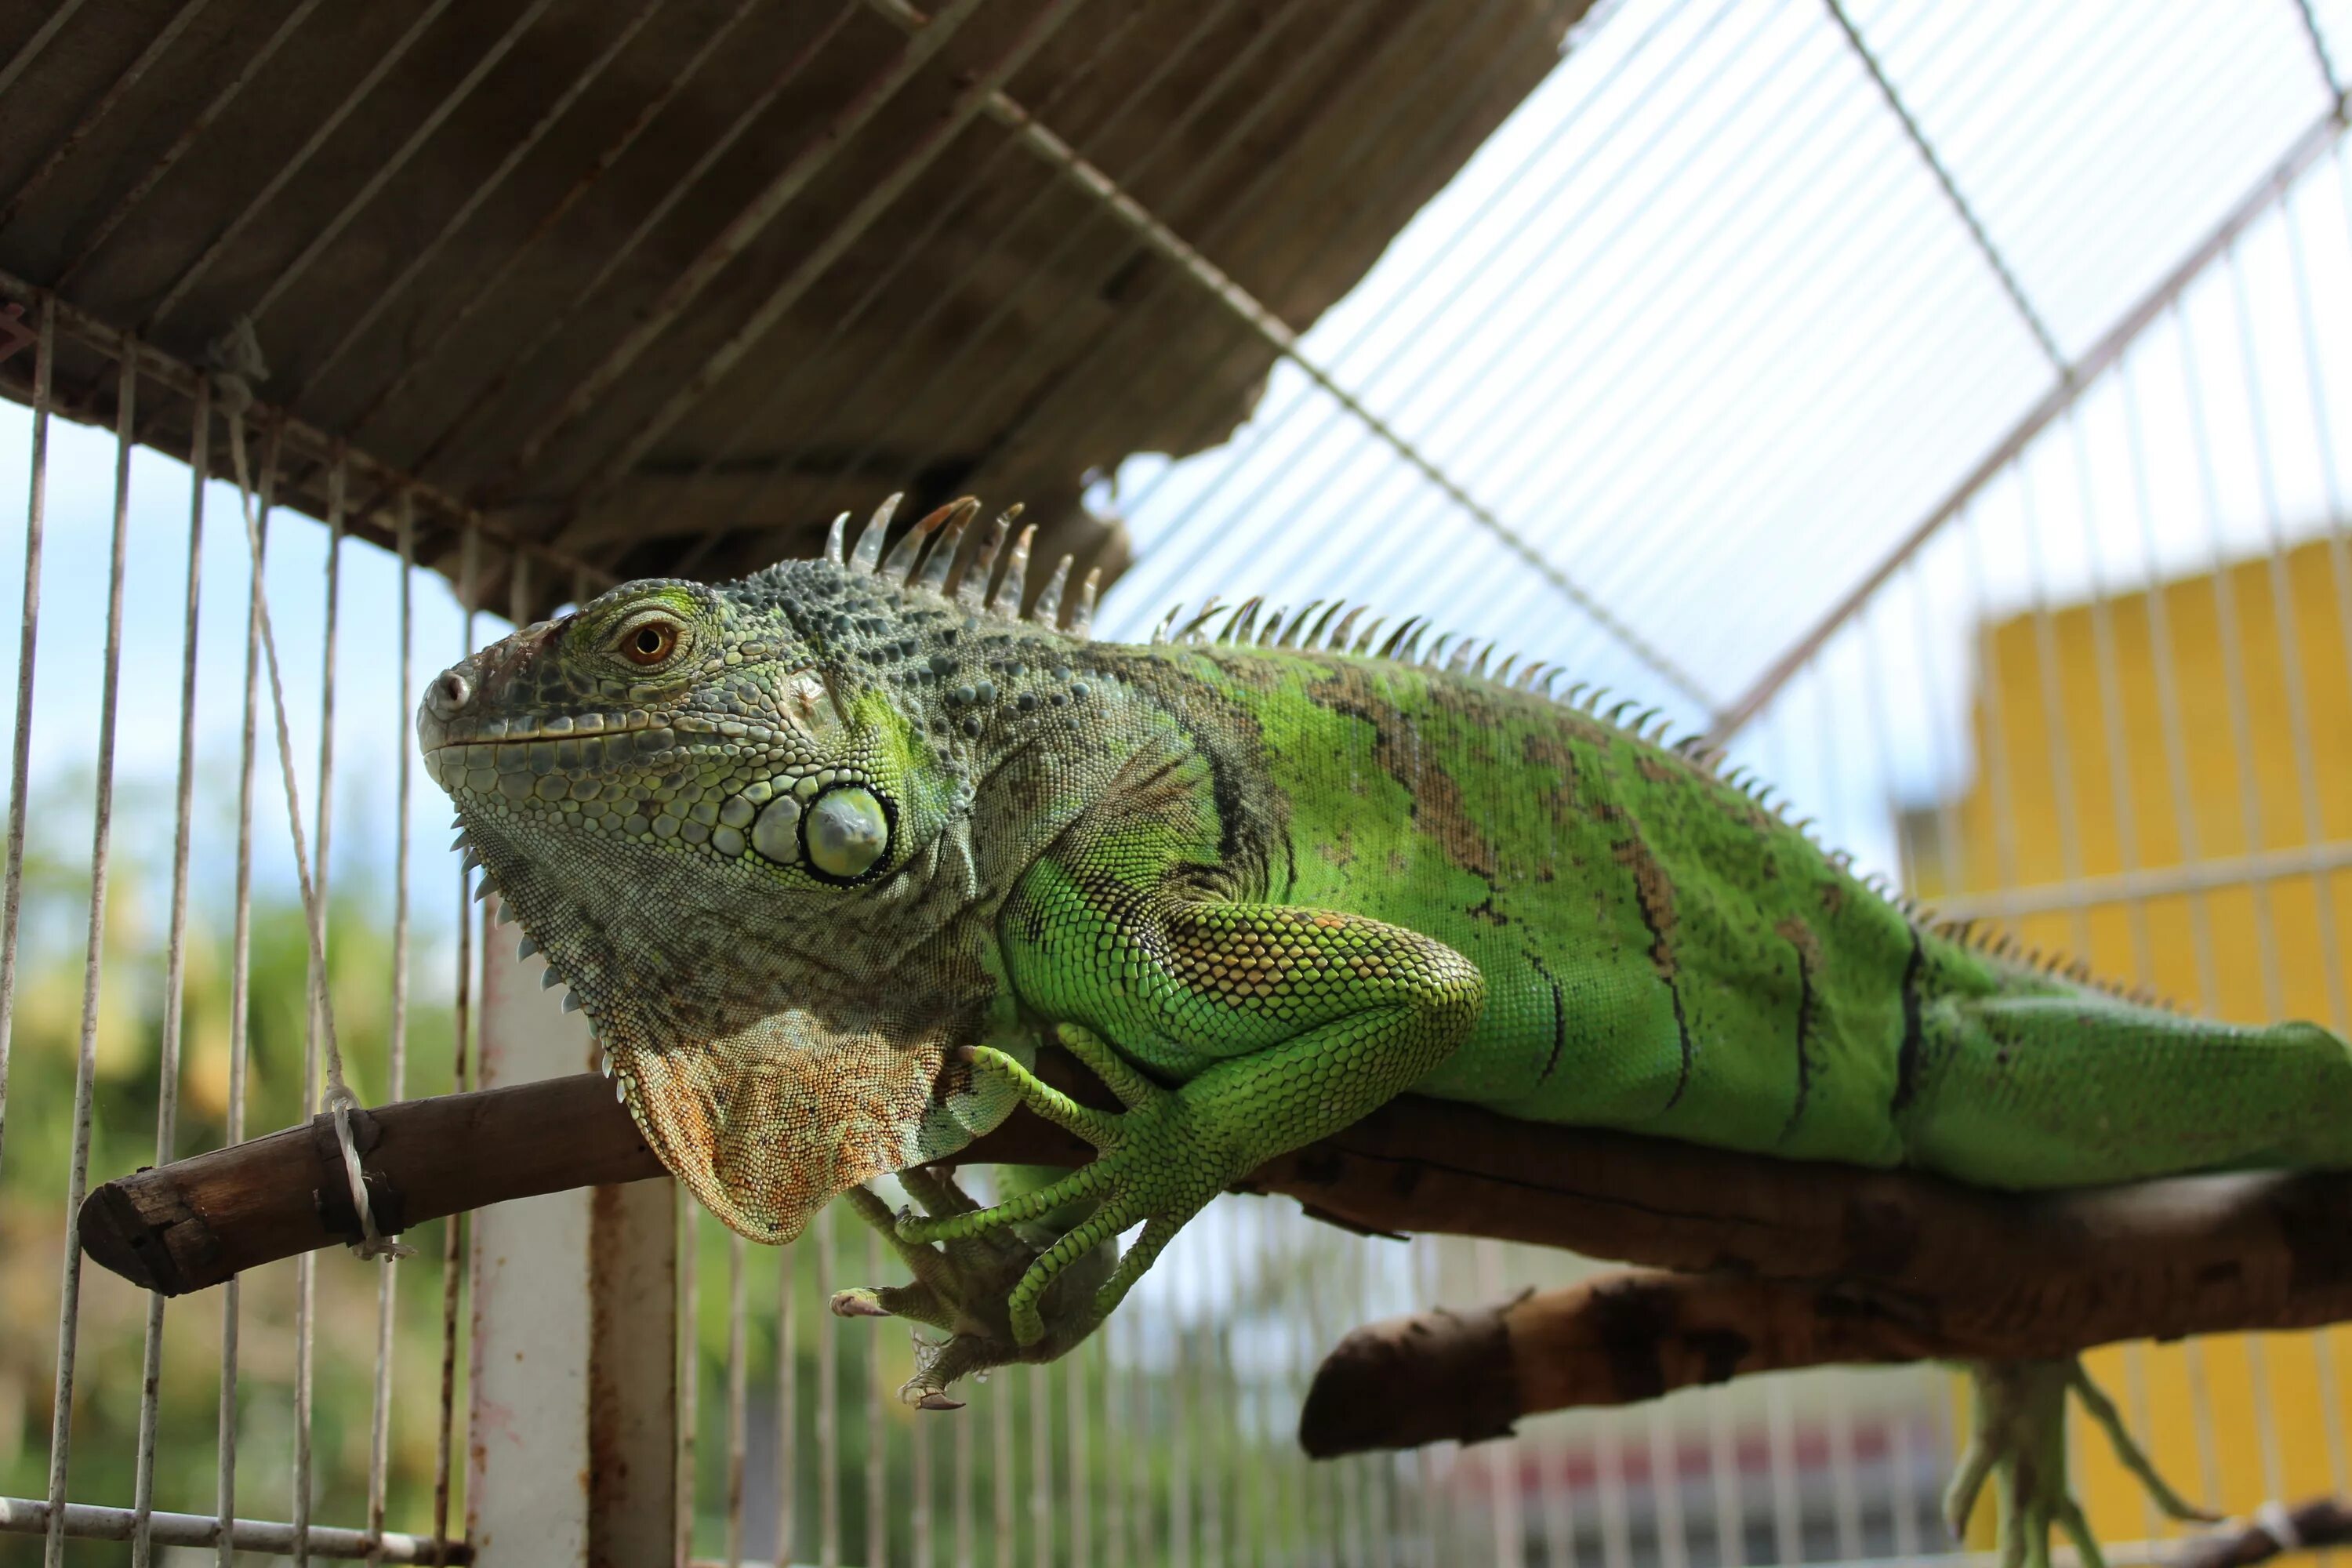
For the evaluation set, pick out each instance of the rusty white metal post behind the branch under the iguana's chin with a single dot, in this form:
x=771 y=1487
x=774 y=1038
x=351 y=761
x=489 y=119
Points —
x=573 y=1412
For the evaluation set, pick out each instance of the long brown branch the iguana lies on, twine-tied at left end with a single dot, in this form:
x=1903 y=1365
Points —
x=1946 y=1261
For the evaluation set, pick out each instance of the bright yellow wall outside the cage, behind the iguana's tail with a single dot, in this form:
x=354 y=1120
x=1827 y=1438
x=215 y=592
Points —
x=2047 y=775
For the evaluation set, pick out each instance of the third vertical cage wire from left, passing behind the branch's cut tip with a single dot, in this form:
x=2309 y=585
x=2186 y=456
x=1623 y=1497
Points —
x=175 y=979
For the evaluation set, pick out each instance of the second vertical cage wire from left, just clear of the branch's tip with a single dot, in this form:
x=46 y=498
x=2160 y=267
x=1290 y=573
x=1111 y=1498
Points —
x=69 y=1299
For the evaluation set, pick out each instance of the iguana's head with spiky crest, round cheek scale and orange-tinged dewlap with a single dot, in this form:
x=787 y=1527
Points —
x=737 y=822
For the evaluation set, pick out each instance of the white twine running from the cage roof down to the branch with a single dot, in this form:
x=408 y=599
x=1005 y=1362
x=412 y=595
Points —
x=236 y=363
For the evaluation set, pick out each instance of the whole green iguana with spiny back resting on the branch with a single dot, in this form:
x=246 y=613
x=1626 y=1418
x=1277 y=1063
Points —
x=824 y=852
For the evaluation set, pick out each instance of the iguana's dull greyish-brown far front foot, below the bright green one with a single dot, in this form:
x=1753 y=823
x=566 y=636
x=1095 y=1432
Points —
x=965 y=1292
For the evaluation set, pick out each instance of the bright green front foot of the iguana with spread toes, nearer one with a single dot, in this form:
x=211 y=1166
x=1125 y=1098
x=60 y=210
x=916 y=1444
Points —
x=1154 y=1167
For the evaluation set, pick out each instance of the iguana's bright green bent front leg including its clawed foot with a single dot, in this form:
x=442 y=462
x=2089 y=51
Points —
x=1302 y=1021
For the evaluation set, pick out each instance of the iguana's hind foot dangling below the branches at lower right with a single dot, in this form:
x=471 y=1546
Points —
x=2019 y=1442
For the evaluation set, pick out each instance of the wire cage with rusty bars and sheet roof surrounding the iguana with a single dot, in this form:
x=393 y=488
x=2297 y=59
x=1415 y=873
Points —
x=1939 y=408
